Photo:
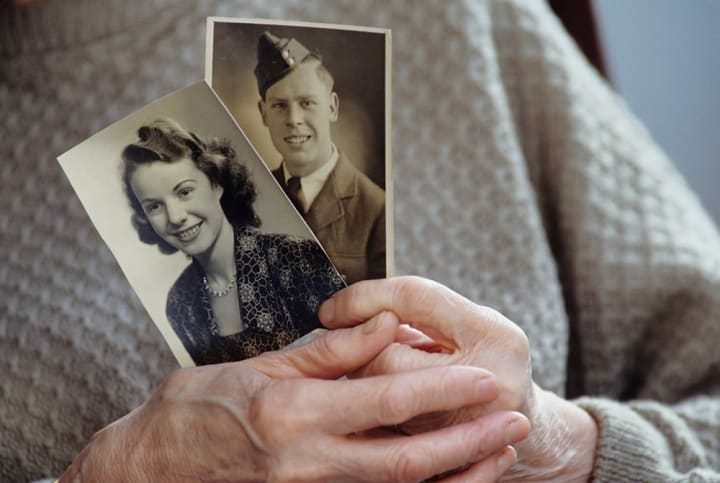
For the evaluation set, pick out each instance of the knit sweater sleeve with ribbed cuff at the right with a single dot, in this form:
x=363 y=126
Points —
x=637 y=255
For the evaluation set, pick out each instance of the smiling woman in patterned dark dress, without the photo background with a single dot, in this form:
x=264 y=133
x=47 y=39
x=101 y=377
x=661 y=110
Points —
x=245 y=292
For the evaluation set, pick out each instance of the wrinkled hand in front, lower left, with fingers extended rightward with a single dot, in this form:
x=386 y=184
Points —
x=283 y=416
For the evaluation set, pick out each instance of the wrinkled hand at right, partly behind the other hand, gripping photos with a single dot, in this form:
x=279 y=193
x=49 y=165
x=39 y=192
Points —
x=562 y=442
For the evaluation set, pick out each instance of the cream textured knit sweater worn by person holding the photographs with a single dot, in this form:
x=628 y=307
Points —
x=521 y=181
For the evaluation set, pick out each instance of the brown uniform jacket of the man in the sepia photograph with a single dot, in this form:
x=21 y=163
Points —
x=348 y=217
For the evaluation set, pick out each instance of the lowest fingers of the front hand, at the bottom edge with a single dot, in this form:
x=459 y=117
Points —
x=422 y=456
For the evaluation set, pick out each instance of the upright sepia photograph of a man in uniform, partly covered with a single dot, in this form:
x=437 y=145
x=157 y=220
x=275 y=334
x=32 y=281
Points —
x=314 y=100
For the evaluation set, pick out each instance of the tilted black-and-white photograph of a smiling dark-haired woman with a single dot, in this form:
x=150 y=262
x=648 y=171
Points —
x=222 y=262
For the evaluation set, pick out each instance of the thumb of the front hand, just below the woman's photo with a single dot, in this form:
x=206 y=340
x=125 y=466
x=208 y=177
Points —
x=333 y=354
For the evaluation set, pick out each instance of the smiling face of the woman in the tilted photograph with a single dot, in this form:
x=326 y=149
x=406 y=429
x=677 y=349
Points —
x=180 y=203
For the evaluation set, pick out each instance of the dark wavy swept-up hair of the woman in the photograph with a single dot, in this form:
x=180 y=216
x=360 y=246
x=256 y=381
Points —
x=166 y=141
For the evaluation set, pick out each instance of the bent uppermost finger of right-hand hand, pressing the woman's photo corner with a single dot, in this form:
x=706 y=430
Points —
x=429 y=306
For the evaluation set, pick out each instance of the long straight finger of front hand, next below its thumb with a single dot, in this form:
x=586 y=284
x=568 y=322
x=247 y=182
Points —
x=361 y=404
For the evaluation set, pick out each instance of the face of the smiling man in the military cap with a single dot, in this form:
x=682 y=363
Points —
x=298 y=110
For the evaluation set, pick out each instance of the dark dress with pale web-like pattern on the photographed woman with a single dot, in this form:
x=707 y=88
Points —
x=281 y=282
